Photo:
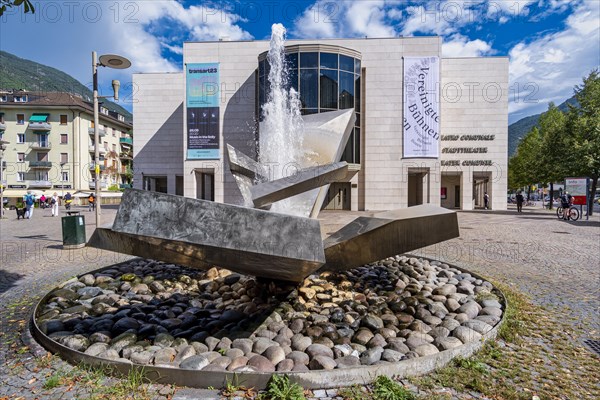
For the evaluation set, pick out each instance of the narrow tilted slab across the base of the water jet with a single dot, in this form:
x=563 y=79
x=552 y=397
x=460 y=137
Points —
x=265 y=194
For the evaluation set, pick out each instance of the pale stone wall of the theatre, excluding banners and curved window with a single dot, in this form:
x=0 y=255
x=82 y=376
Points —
x=474 y=101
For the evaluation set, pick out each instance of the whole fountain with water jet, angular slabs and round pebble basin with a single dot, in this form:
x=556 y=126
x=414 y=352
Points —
x=327 y=312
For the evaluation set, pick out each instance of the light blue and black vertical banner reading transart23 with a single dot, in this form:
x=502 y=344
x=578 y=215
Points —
x=202 y=103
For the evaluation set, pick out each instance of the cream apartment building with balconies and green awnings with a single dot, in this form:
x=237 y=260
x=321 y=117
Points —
x=49 y=145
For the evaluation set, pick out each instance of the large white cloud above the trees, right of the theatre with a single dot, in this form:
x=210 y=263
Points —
x=547 y=68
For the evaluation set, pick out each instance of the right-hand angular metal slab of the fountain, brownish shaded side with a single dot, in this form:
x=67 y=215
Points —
x=369 y=239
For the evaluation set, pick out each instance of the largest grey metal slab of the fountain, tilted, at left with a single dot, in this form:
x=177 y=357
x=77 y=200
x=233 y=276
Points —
x=244 y=240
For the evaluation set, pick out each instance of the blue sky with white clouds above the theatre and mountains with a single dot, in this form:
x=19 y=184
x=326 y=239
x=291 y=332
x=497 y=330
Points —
x=551 y=44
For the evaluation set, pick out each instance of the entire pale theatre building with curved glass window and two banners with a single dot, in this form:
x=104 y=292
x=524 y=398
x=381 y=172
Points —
x=428 y=129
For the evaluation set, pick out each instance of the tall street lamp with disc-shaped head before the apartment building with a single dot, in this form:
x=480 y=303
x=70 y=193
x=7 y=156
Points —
x=111 y=61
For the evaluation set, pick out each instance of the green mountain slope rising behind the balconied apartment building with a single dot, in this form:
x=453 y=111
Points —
x=18 y=73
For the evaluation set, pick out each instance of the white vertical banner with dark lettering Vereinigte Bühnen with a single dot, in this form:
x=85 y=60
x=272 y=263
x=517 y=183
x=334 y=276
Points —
x=421 y=133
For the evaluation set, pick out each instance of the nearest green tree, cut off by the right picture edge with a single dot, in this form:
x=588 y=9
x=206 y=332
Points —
x=584 y=131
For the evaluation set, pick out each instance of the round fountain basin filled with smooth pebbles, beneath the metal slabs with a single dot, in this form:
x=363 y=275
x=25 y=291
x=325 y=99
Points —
x=401 y=316
